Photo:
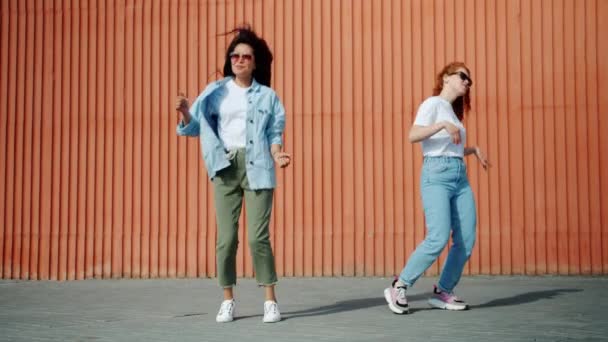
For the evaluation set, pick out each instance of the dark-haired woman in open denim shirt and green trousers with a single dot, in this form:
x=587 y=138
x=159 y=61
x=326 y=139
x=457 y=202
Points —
x=240 y=121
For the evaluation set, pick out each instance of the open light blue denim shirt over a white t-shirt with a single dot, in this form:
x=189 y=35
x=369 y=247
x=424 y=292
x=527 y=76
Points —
x=264 y=127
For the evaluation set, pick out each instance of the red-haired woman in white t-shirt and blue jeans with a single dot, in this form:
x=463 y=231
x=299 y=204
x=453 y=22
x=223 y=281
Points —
x=449 y=206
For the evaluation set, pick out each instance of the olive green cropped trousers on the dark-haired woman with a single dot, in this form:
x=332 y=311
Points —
x=230 y=185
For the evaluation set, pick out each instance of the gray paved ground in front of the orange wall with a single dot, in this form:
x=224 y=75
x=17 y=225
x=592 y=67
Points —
x=314 y=309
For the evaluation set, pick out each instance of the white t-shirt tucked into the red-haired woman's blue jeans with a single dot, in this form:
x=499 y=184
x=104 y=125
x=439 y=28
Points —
x=433 y=110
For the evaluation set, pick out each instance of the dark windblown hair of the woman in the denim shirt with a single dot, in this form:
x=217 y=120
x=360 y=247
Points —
x=262 y=54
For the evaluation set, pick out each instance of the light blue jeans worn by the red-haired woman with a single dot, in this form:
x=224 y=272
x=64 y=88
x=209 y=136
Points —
x=449 y=206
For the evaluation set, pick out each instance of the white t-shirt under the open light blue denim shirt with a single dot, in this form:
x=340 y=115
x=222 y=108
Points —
x=233 y=116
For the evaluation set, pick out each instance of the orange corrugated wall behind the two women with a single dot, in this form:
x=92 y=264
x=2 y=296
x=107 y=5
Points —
x=93 y=180
